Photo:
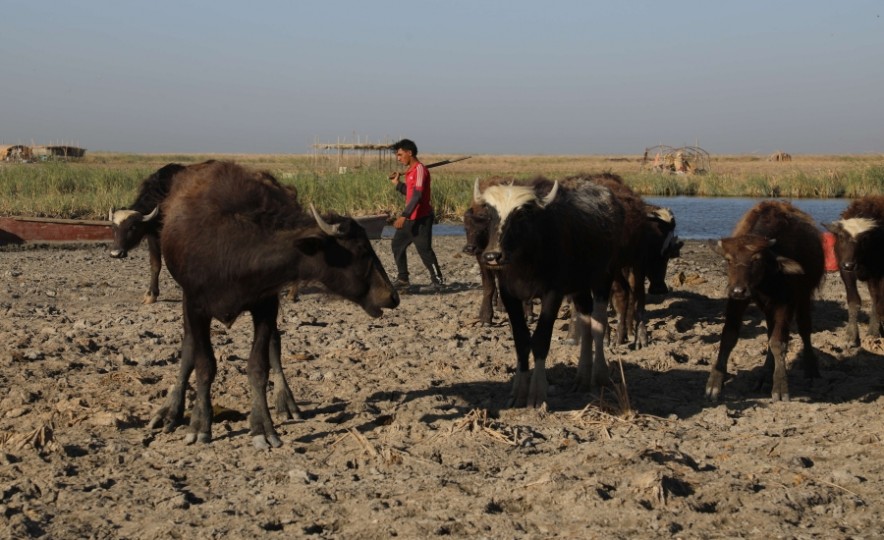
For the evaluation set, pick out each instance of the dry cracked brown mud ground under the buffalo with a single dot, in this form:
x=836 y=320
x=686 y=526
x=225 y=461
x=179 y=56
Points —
x=405 y=431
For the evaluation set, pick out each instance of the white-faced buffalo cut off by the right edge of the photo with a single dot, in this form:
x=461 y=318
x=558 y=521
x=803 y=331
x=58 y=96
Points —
x=859 y=248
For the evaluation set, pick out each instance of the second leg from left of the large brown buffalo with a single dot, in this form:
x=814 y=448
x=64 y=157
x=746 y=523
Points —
x=200 y=429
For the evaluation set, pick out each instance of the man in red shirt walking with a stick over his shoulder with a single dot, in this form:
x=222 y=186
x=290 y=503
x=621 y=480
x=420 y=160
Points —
x=415 y=224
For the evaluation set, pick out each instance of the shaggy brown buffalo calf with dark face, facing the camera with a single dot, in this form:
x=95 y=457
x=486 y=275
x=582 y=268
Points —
x=774 y=258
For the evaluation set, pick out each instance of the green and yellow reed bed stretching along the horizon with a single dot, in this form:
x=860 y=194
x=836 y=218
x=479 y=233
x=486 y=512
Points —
x=89 y=187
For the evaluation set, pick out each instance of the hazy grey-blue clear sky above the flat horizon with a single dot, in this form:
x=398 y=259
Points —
x=471 y=77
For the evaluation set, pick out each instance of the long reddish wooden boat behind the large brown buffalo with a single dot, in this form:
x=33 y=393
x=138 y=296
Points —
x=20 y=230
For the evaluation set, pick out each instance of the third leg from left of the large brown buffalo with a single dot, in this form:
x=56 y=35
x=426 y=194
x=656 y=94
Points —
x=264 y=319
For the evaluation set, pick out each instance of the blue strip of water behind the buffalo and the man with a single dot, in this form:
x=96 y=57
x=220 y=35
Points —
x=700 y=218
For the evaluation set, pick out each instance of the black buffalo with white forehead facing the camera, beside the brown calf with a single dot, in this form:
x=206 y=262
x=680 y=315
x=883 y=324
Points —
x=562 y=243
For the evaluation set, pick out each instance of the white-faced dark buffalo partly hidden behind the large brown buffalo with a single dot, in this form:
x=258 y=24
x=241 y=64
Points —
x=143 y=219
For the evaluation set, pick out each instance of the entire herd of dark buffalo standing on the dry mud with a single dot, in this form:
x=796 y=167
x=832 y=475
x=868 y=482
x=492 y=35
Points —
x=234 y=238
